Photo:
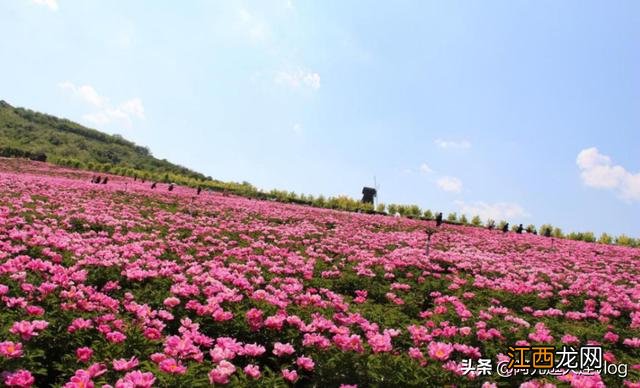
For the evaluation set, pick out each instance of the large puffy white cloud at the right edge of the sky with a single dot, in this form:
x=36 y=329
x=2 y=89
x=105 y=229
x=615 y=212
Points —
x=598 y=171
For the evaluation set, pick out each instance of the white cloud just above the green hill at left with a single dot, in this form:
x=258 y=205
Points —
x=124 y=113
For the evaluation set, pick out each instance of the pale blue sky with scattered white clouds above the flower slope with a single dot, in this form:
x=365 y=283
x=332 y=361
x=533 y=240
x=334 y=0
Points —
x=528 y=111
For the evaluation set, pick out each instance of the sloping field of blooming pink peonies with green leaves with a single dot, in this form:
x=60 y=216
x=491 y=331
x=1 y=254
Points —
x=121 y=285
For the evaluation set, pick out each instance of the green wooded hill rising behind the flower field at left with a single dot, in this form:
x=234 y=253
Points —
x=40 y=136
